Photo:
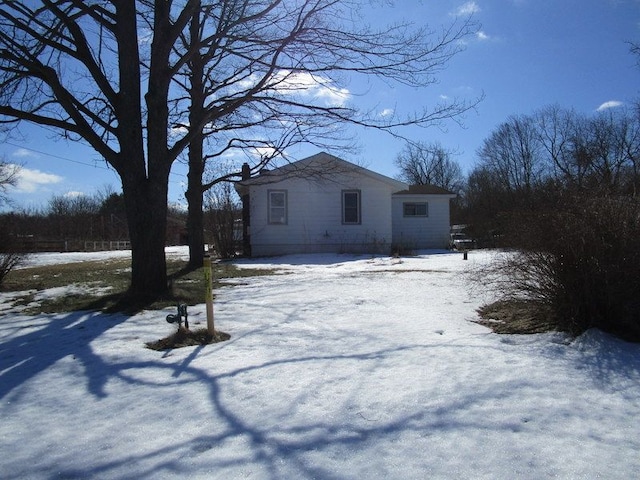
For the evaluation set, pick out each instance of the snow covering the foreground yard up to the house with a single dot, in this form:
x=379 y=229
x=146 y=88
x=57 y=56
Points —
x=341 y=367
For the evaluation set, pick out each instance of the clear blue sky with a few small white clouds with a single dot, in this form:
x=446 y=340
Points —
x=527 y=55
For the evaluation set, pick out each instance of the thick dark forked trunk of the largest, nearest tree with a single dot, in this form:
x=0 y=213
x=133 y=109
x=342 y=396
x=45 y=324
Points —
x=144 y=184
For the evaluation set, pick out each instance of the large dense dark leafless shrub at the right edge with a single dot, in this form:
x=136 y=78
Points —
x=581 y=261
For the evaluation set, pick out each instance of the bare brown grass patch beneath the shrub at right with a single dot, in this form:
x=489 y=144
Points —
x=517 y=317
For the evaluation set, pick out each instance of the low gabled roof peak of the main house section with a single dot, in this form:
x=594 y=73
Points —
x=319 y=166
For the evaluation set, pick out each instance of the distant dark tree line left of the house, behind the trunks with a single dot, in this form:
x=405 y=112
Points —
x=98 y=222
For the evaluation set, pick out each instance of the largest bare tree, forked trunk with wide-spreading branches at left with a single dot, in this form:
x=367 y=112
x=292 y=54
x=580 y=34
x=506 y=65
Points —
x=121 y=76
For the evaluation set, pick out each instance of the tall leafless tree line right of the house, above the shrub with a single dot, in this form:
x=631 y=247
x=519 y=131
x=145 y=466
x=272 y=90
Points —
x=538 y=161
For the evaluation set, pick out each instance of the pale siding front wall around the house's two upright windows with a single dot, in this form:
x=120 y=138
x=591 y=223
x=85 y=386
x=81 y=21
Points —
x=314 y=217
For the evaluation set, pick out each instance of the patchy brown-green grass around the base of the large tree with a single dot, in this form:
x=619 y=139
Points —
x=102 y=285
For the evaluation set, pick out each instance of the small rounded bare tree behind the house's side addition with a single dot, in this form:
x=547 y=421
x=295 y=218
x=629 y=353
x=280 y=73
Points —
x=429 y=164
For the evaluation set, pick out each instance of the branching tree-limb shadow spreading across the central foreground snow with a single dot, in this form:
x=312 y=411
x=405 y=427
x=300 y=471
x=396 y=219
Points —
x=274 y=451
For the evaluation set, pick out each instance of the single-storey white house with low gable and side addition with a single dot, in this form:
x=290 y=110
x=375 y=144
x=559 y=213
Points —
x=325 y=204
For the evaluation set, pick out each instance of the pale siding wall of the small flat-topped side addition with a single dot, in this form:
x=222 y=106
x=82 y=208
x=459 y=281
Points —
x=415 y=233
